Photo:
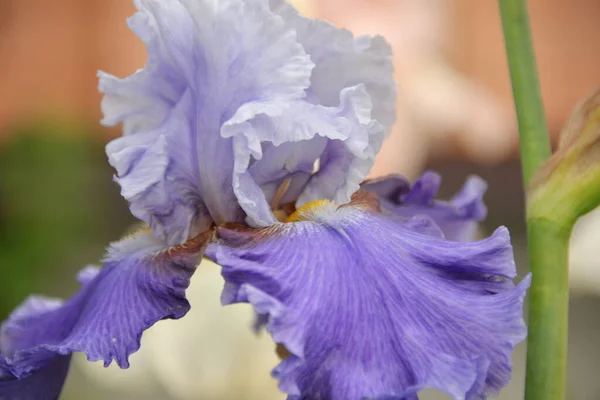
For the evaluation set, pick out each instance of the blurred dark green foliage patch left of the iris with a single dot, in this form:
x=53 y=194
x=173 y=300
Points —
x=58 y=209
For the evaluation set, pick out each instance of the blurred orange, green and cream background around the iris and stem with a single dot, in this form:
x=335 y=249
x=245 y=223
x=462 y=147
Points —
x=59 y=207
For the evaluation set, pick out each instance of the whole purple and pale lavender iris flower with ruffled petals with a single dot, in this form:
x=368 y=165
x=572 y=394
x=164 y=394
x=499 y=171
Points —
x=250 y=130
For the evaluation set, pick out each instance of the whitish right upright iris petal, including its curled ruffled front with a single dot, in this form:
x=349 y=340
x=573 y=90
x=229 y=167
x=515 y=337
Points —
x=341 y=63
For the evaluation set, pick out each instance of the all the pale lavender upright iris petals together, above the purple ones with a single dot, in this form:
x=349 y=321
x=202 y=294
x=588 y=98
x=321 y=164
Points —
x=227 y=86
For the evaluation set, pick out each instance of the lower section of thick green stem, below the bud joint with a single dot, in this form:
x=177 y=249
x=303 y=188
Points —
x=548 y=244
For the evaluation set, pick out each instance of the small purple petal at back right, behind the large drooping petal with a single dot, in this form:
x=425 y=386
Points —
x=457 y=217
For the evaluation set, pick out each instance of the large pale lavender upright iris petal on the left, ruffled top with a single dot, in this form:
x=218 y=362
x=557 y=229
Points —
x=210 y=64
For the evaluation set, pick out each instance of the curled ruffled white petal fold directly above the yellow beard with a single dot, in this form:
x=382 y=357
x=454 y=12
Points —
x=344 y=139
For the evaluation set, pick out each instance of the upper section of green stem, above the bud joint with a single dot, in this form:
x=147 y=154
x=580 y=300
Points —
x=533 y=136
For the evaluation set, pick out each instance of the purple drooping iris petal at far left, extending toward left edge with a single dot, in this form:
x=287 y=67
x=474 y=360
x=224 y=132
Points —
x=143 y=281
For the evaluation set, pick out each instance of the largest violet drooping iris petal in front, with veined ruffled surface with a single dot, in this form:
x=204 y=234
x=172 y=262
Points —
x=371 y=307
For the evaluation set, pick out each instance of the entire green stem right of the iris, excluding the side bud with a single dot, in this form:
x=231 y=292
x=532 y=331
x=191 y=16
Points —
x=548 y=240
